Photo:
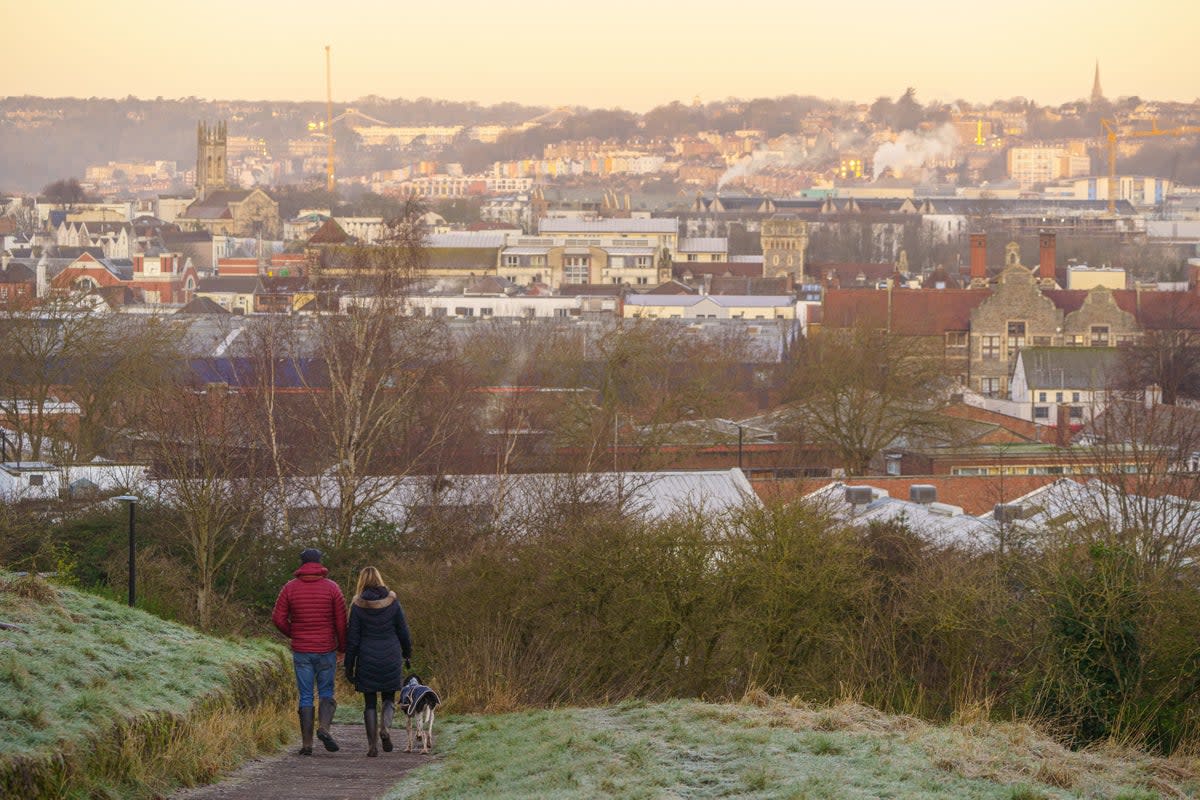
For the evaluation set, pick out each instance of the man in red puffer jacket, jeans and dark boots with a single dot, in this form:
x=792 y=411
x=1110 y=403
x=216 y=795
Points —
x=311 y=612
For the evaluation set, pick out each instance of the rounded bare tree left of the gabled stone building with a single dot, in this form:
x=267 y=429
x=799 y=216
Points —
x=857 y=390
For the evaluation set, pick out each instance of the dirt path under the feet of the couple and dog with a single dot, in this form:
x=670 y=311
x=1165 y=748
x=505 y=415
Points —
x=349 y=774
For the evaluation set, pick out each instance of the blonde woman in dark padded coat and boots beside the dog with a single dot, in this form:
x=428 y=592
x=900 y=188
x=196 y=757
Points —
x=377 y=651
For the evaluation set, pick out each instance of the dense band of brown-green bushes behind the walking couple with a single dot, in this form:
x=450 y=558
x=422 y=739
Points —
x=579 y=603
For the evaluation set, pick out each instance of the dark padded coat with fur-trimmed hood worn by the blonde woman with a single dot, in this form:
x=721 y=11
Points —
x=377 y=642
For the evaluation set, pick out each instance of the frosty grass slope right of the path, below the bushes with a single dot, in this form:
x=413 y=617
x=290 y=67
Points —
x=771 y=749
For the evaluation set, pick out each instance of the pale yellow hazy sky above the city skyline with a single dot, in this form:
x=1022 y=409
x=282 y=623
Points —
x=632 y=55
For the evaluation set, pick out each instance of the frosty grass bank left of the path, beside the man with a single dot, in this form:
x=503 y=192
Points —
x=103 y=701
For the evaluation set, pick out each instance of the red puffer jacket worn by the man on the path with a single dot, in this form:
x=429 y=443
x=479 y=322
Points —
x=311 y=612
